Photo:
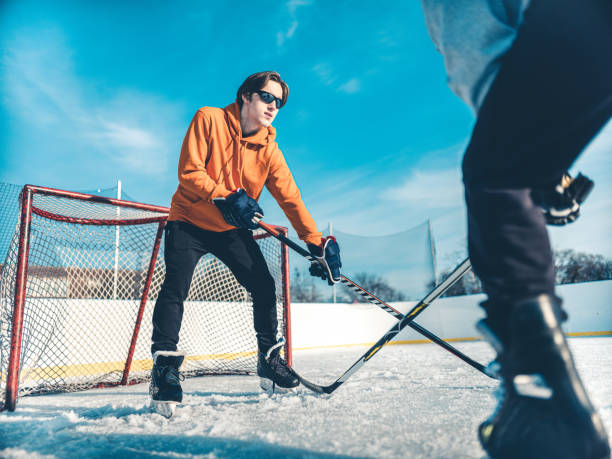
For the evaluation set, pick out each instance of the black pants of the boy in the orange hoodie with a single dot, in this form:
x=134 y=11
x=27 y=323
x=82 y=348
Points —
x=185 y=244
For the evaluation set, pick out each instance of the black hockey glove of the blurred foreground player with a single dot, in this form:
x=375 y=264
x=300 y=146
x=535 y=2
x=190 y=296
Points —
x=561 y=202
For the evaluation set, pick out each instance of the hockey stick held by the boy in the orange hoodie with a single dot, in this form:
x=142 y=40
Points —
x=381 y=304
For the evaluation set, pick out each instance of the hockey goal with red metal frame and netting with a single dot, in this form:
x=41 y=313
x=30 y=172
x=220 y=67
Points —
x=77 y=290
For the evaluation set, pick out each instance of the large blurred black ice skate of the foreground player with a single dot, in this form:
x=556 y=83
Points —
x=544 y=410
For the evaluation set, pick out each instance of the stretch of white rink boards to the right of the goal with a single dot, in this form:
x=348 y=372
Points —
x=326 y=325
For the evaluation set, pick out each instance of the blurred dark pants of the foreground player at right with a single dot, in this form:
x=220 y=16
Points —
x=552 y=95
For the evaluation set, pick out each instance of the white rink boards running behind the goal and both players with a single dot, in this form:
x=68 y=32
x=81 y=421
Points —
x=107 y=325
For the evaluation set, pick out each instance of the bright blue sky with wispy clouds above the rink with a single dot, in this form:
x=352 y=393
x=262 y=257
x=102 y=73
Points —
x=93 y=92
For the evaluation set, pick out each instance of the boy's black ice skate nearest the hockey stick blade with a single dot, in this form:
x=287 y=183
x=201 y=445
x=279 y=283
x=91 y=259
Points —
x=276 y=376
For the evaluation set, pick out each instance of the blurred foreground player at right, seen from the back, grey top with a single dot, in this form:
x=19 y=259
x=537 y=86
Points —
x=538 y=75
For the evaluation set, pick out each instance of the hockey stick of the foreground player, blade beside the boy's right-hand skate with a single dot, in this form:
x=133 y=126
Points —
x=393 y=331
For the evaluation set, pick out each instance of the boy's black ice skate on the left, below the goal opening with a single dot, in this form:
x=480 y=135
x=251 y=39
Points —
x=165 y=389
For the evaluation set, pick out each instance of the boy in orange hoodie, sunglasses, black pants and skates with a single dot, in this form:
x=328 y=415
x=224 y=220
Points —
x=227 y=157
